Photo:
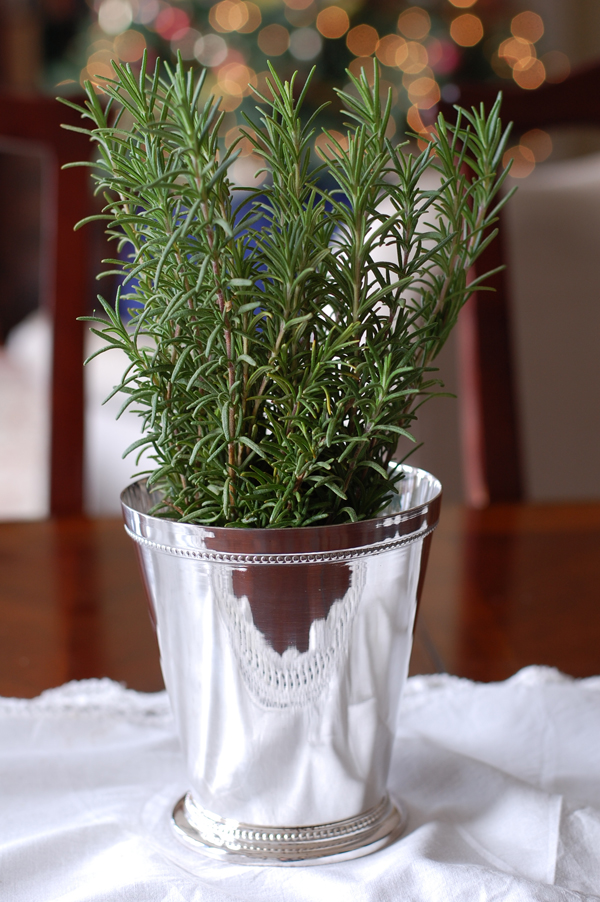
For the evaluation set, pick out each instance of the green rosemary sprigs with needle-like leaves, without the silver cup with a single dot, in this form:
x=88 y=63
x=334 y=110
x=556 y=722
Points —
x=279 y=346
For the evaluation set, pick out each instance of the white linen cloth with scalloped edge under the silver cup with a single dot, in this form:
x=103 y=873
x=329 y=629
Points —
x=501 y=783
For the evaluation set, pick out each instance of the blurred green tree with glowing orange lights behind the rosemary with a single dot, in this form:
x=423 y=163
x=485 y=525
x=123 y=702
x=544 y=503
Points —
x=418 y=43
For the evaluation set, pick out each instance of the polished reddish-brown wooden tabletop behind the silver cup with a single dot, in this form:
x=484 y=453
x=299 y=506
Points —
x=508 y=586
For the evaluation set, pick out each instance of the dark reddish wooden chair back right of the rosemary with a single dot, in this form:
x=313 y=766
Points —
x=492 y=460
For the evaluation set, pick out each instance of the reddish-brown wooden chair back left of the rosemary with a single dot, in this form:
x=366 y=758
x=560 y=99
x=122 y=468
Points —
x=34 y=124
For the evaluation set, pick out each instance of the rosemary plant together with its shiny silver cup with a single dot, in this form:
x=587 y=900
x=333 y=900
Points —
x=280 y=342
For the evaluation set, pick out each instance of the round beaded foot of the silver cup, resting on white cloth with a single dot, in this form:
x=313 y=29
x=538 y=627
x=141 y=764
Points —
x=240 y=843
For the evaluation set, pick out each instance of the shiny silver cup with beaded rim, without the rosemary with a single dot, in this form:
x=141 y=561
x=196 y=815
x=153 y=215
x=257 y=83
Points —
x=284 y=653
